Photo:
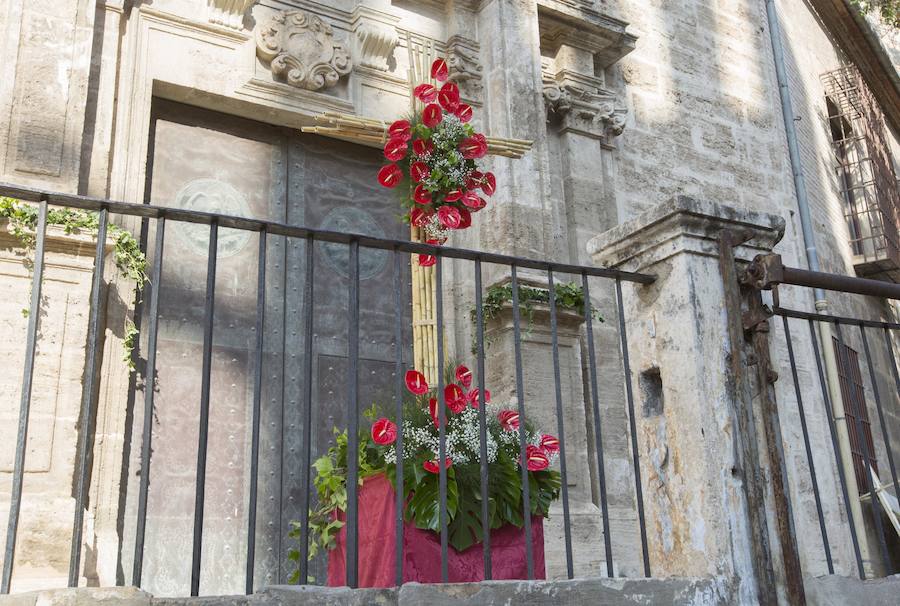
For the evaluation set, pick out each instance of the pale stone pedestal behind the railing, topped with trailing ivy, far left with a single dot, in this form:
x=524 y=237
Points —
x=48 y=506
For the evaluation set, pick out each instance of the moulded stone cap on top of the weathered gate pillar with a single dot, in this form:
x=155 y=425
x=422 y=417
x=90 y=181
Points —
x=683 y=224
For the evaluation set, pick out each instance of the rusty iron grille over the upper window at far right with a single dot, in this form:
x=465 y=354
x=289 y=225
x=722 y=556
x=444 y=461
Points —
x=865 y=174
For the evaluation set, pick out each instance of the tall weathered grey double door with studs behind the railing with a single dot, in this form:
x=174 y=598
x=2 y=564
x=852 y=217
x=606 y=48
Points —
x=212 y=162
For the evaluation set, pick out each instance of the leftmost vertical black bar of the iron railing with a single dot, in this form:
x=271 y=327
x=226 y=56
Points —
x=25 y=401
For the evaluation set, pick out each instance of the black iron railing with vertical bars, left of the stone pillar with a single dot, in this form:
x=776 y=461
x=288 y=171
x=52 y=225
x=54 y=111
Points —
x=162 y=218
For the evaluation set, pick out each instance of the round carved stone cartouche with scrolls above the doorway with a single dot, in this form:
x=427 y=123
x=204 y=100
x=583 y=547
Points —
x=302 y=50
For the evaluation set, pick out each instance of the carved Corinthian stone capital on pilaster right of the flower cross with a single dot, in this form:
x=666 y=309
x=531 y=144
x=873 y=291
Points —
x=583 y=107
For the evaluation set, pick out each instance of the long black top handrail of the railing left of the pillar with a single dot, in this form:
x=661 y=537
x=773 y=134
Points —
x=282 y=229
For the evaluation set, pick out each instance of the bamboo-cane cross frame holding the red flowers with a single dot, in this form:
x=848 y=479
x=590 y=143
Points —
x=373 y=133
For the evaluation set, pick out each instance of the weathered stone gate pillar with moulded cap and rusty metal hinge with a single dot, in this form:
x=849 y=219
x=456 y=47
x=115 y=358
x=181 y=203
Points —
x=698 y=482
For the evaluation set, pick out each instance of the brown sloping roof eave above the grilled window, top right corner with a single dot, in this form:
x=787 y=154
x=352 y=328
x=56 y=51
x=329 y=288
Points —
x=854 y=35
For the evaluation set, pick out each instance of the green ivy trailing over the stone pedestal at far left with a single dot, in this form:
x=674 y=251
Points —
x=127 y=253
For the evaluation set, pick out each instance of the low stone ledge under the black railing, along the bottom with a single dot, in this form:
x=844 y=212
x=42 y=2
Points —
x=610 y=592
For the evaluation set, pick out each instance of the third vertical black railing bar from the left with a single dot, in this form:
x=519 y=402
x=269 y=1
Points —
x=149 y=390
